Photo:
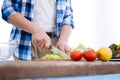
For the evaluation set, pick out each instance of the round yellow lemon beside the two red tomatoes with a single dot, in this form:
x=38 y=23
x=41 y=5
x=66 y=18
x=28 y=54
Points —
x=104 y=54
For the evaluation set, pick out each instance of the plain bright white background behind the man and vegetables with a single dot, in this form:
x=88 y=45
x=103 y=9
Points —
x=97 y=23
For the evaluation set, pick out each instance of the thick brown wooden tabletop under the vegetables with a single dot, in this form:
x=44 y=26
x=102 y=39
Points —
x=42 y=69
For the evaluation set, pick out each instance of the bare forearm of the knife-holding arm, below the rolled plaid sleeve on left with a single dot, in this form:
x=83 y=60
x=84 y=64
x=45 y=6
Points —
x=19 y=21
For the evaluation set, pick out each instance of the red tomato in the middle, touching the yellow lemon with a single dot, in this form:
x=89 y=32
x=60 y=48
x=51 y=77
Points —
x=90 y=54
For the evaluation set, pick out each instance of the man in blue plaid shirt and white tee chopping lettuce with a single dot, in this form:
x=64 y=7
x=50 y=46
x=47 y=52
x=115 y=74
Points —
x=37 y=24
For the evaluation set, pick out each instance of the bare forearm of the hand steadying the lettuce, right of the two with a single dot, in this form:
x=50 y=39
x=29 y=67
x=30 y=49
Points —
x=65 y=32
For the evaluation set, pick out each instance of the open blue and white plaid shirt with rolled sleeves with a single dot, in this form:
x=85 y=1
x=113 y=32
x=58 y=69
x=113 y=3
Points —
x=64 y=15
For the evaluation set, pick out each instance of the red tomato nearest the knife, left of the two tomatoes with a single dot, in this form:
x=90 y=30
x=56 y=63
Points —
x=76 y=55
